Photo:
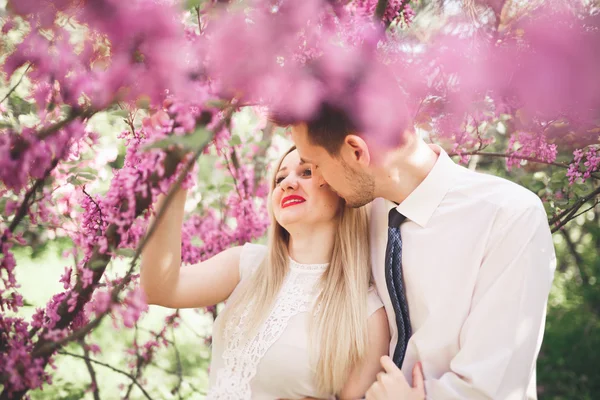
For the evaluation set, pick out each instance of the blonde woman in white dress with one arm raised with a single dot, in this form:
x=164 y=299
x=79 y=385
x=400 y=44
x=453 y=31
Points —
x=301 y=318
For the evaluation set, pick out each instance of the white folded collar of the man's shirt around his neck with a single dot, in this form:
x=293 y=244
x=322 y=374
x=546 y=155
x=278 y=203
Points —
x=420 y=205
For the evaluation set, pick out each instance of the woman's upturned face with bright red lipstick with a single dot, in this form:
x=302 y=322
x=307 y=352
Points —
x=298 y=198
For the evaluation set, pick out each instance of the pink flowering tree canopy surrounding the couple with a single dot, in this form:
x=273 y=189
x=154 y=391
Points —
x=505 y=80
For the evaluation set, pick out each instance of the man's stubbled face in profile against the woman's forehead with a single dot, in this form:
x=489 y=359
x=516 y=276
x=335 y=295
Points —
x=342 y=173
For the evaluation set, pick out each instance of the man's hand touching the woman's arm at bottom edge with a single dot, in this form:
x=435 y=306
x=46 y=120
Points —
x=392 y=384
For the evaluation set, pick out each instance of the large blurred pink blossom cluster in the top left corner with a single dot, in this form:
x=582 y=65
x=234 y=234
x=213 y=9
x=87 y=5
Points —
x=142 y=35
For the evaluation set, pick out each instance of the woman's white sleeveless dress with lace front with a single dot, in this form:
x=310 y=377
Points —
x=276 y=363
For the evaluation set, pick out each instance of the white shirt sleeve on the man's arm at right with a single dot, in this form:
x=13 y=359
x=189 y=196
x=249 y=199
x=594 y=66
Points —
x=501 y=337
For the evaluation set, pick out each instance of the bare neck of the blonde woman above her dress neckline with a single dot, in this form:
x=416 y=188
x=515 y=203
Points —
x=312 y=246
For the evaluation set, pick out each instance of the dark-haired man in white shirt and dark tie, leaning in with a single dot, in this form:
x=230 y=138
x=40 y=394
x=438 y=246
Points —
x=464 y=266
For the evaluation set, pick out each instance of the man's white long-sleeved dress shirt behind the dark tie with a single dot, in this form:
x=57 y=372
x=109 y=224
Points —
x=478 y=263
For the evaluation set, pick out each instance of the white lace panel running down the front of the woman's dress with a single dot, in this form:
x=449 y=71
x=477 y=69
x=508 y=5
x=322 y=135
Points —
x=241 y=357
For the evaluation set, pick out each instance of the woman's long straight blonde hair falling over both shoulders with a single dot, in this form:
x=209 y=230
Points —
x=338 y=331
